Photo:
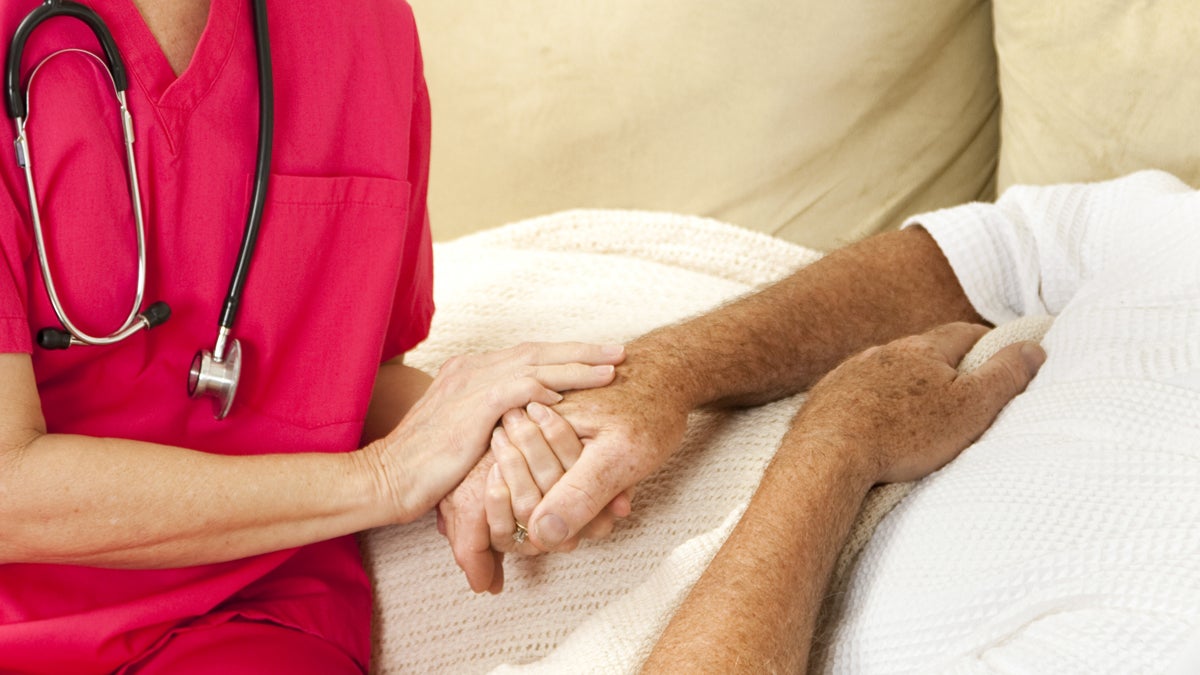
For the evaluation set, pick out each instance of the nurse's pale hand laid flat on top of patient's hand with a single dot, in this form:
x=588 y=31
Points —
x=447 y=432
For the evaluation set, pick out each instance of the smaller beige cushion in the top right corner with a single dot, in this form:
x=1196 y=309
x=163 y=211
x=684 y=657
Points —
x=1096 y=89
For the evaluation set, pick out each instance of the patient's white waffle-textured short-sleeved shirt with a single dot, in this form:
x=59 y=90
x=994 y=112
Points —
x=1066 y=540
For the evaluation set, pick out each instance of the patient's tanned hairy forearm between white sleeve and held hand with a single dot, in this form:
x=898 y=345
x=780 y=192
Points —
x=782 y=341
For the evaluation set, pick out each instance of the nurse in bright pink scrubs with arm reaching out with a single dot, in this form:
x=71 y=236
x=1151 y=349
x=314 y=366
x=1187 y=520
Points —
x=137 y=533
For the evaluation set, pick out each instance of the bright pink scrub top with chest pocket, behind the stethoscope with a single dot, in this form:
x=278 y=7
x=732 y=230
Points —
x=341 y=282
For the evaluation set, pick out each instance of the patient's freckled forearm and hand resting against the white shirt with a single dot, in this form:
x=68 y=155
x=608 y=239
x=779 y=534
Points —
x=892 y=415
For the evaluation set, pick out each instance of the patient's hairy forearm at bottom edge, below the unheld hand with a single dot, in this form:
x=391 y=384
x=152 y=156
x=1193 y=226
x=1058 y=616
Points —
x=755 y=607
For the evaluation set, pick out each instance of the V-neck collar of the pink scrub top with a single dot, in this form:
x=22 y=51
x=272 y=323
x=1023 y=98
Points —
x=148 y=65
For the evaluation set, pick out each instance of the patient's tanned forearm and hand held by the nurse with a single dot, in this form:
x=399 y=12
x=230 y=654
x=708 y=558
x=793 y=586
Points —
x=759 y=349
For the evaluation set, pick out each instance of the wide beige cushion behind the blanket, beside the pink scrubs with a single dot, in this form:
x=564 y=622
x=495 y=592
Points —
x=818 y=122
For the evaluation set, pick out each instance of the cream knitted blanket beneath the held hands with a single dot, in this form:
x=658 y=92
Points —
x=597 y=277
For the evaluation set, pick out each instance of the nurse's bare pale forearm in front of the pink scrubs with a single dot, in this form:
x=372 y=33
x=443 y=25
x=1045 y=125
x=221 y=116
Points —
x=124 y=504
